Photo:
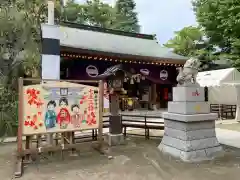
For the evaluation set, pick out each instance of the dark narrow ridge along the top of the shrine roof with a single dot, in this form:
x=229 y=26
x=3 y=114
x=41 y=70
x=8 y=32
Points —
x=108 y=31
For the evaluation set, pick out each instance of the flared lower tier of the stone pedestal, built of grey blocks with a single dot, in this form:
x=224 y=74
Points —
x=190 y=141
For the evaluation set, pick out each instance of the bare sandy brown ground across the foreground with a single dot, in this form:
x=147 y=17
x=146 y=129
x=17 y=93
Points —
x=139 y=159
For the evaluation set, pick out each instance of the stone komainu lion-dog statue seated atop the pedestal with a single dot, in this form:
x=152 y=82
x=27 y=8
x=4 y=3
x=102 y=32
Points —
x=187 y=74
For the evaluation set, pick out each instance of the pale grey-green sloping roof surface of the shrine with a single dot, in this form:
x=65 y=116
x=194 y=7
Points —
x=108 y=41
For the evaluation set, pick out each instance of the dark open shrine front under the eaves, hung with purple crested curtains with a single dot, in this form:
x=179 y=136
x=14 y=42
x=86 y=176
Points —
x=144 y=90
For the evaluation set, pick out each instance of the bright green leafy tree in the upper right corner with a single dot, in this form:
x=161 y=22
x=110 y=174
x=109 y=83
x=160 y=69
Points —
x=221 y=22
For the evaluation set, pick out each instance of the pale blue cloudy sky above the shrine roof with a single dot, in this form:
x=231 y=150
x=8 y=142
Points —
x=163 y=17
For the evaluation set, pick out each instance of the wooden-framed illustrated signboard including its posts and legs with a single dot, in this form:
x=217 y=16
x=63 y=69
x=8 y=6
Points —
x=59 y=108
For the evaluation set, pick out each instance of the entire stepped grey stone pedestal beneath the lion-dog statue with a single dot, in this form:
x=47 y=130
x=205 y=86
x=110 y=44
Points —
x=190 y=127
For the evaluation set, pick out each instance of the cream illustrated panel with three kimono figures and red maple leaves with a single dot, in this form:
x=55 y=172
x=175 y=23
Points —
x=60 y=107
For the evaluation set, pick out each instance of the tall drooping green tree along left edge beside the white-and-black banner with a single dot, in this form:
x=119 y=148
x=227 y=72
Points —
x=20 y=51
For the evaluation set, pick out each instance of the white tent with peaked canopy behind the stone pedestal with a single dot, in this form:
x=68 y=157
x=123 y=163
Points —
x=220 y=83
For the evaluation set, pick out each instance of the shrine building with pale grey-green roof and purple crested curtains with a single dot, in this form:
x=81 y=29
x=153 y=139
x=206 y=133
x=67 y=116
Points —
x=82 y=52
